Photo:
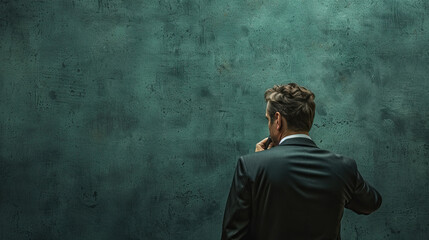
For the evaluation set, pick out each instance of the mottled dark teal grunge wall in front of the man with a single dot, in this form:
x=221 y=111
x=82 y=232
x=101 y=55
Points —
x=125 y=119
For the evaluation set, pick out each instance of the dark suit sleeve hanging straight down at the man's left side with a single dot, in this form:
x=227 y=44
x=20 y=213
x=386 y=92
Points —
x=238 y=206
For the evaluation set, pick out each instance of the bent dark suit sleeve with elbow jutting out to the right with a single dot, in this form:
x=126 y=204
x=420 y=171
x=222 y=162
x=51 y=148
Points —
x=365 y=199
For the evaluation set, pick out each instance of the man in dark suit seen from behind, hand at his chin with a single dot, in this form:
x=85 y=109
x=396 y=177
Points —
x=294 y=190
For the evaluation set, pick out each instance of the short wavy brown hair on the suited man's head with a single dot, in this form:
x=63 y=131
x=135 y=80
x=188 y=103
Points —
x=294 y=102
